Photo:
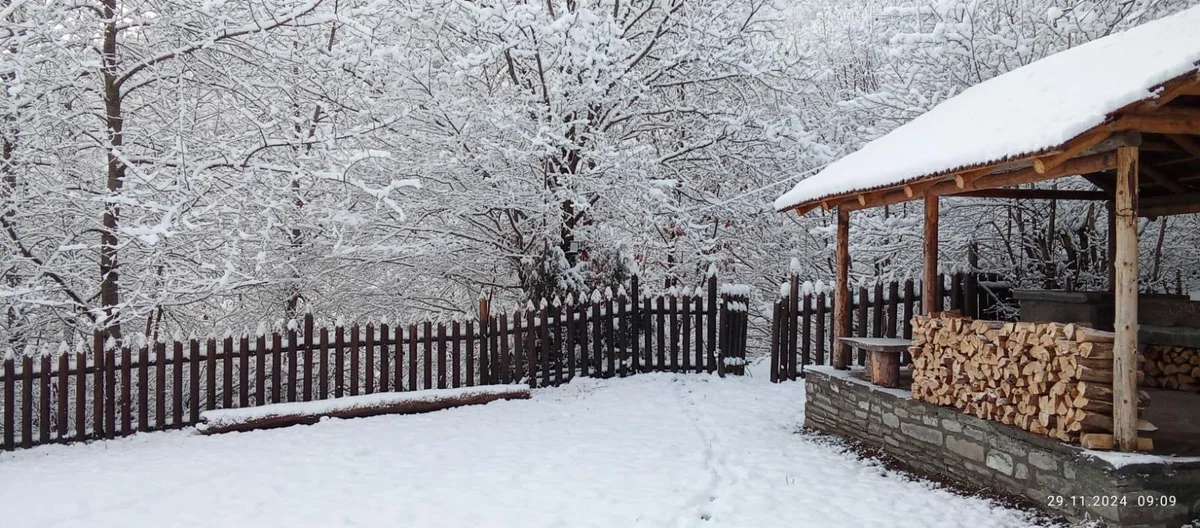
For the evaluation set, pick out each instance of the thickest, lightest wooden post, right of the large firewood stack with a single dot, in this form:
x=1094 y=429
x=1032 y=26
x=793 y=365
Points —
x=1125 y=351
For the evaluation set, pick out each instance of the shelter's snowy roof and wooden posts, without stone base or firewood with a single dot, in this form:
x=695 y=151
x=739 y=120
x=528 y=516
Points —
x=1123 y=112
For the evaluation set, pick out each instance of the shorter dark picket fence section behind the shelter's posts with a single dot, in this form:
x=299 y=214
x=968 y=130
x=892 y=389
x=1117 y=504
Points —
x=802 y=323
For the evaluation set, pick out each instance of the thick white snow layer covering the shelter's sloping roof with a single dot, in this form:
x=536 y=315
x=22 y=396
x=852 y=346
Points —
x=1028 y=111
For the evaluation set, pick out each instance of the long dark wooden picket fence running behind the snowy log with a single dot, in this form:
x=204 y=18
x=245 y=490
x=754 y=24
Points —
x=123 y=391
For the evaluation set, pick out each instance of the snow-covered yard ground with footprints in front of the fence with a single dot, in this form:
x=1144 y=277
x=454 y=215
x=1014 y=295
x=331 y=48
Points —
x=655 y=451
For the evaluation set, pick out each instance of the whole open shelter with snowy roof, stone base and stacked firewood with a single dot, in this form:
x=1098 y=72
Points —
x=1121 y=112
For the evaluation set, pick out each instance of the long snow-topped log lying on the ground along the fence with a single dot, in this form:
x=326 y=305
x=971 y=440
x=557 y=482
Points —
x=308 y=413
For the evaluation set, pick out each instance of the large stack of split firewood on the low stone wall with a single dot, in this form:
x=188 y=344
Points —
x=1047 y=379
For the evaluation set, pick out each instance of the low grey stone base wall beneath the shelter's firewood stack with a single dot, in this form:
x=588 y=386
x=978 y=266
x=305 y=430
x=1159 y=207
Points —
x=1136 y=491
